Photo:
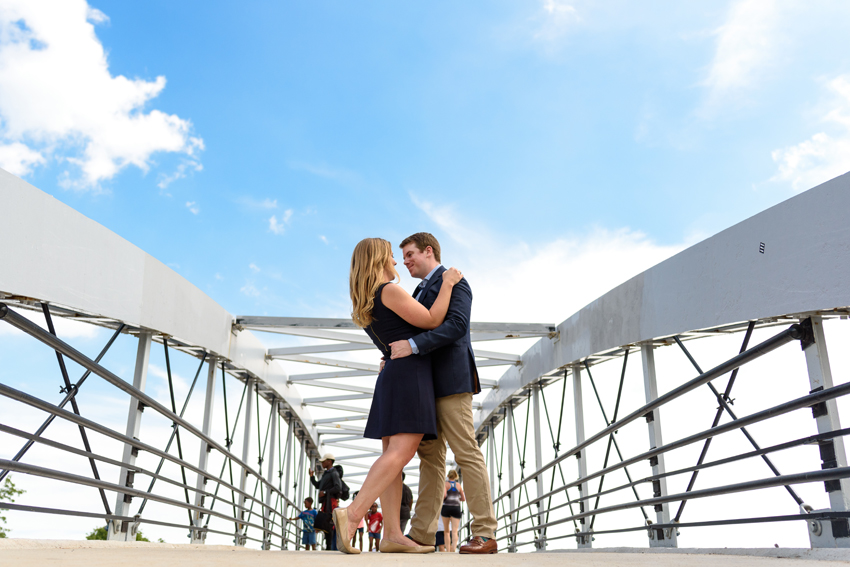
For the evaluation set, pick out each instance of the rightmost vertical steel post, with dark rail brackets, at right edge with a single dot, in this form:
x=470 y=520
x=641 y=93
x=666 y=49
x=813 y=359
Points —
x=834 y=533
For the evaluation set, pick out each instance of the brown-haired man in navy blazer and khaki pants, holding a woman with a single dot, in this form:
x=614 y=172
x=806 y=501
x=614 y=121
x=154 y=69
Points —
x=455 y=382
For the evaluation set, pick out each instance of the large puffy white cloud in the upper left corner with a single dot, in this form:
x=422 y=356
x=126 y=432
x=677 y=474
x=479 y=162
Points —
x=58 y=97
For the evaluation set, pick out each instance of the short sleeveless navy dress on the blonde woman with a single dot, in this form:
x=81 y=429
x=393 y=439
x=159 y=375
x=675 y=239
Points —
x=404 y=393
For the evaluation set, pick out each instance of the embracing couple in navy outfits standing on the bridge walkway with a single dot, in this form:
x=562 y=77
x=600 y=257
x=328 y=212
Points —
x=423 y=396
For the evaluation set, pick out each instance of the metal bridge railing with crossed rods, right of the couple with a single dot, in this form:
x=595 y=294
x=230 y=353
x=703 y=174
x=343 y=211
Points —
x=547 y=504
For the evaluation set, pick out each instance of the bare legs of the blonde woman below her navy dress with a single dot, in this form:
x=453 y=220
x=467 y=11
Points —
x=398 y=451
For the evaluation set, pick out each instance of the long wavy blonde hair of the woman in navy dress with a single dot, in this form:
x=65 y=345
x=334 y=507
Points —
x=372 y=257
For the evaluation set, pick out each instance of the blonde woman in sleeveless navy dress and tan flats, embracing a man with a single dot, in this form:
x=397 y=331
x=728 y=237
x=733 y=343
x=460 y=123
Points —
x=403 y=409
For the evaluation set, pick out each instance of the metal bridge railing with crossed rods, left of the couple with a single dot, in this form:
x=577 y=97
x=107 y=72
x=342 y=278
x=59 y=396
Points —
x=219 y=493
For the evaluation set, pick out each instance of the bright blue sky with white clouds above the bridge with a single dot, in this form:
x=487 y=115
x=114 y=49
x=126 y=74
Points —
x=525 y=123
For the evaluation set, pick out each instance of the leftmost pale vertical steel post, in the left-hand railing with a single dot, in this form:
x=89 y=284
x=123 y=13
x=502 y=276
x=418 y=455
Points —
x=118 y=530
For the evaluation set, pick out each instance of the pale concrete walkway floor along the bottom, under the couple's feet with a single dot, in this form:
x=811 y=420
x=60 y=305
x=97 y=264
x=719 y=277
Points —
x=21 y=552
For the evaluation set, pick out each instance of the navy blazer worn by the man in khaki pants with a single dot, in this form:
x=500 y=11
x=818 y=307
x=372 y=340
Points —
x=450 y=346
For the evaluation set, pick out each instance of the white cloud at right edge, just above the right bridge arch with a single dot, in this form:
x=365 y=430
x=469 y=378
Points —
x=823 y=156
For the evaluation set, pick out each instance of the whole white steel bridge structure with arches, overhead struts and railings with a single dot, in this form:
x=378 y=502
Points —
x=770 y=280
